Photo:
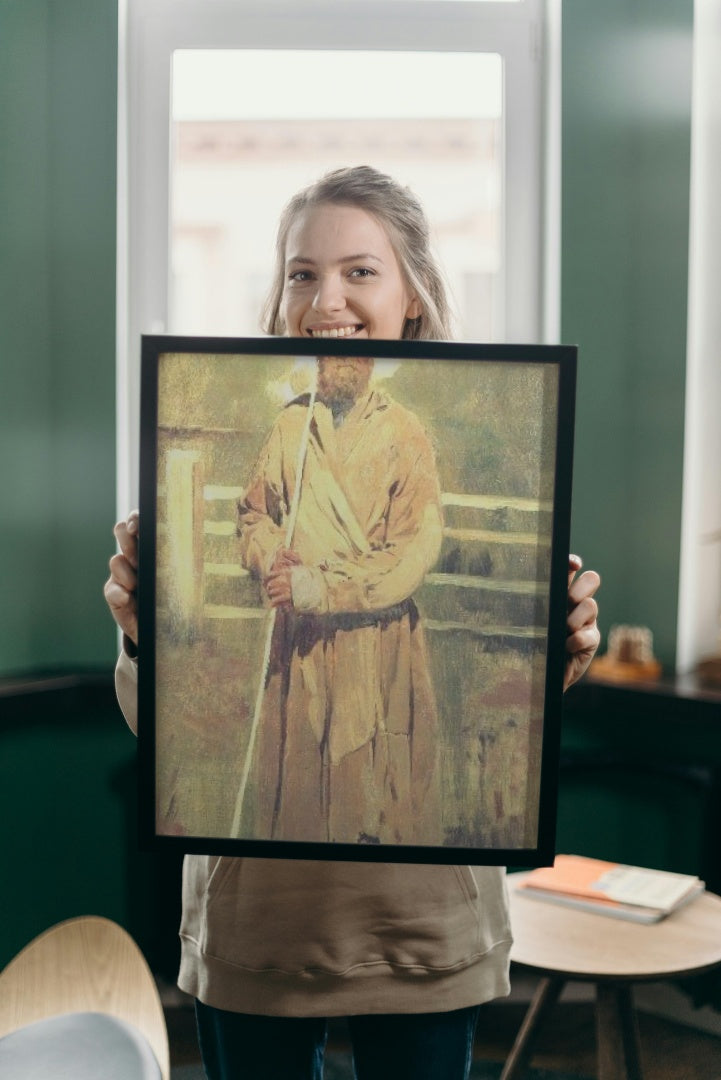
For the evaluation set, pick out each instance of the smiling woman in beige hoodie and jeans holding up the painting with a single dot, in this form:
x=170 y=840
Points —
x=271 y=949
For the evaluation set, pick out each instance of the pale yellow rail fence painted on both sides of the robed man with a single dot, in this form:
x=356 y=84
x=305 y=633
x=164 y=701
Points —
x=491 y=580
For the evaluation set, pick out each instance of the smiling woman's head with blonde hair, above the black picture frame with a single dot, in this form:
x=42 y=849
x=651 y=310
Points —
x=353 y=259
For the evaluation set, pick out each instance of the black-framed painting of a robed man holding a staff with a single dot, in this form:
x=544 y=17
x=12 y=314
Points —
x=353 y=577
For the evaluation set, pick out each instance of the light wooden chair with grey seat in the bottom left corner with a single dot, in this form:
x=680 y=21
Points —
x=84 y=984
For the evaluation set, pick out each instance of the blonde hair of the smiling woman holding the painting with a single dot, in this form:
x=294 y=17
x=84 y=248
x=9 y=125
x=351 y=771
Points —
x=401 y=213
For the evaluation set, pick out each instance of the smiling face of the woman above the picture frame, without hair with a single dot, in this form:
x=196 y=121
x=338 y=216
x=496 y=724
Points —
x=343 y=278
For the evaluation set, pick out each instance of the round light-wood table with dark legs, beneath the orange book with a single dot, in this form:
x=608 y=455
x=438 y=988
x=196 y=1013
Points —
x=565 y=946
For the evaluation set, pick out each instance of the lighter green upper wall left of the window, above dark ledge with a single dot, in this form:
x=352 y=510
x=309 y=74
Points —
x=58 y=310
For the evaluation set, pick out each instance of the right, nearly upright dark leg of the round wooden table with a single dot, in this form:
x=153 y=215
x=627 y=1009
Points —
x=617 y=1032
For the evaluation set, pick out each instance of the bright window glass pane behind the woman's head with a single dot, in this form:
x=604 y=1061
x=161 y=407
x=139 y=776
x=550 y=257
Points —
x=251 y=128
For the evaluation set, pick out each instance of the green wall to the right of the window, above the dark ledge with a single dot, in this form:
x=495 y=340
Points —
x=627 y=128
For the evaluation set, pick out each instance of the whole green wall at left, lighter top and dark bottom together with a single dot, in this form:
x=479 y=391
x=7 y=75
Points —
x=67 y=762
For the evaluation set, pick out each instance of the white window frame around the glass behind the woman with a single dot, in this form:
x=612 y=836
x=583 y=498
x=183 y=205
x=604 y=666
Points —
x=525 y=34
